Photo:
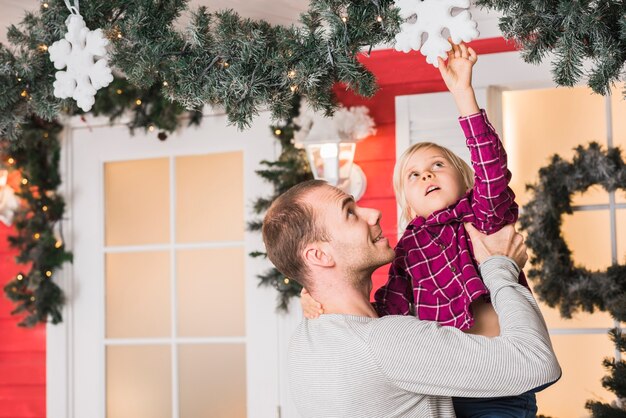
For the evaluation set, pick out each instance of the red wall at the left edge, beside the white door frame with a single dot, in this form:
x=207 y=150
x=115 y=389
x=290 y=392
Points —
x=22 y=351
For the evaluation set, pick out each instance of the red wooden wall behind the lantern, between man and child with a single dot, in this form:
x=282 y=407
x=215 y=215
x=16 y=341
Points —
x=398 y=74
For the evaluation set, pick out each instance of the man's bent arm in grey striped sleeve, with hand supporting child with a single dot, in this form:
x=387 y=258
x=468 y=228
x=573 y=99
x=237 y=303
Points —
x=425 y=358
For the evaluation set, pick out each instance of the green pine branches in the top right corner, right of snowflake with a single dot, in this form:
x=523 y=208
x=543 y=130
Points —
x=572 y=32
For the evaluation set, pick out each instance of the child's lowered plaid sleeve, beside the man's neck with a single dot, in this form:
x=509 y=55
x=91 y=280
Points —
x=394 y=298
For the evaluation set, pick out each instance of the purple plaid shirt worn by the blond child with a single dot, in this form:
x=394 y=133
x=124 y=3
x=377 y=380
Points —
x=434 y=268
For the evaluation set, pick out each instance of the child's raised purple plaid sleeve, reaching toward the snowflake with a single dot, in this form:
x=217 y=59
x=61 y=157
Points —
x=493 y=201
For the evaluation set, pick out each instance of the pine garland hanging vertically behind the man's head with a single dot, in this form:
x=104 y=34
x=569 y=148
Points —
x=291 y=168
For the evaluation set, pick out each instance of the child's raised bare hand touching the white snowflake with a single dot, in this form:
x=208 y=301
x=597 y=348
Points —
x=457 y=71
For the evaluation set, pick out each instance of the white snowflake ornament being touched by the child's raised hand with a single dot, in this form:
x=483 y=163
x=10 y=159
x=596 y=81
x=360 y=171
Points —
x=432 y=17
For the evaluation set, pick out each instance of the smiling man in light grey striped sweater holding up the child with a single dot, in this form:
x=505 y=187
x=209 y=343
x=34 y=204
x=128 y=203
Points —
x=350 y=363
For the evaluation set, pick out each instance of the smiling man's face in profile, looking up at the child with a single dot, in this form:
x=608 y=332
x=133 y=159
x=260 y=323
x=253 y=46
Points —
x=356 y=239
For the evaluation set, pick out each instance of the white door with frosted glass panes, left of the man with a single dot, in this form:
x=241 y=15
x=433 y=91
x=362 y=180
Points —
x=164 y=316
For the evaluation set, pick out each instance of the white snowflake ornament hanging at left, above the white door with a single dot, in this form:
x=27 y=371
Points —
x=83 y=52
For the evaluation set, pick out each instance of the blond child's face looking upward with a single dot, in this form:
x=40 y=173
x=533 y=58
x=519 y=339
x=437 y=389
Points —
x=431 y=182
